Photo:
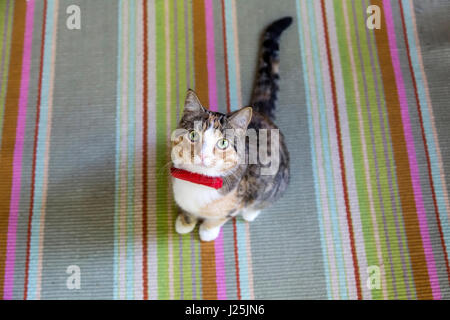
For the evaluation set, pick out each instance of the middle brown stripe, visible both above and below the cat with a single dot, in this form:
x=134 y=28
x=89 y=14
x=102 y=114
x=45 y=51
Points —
x=201 y=80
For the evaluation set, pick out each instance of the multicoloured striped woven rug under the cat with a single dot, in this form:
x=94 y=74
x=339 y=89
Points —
x=86 y=115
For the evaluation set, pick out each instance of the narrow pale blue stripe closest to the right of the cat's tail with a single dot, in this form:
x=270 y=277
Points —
x=313 y=149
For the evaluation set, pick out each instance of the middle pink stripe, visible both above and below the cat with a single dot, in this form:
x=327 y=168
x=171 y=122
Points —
x=211 y=64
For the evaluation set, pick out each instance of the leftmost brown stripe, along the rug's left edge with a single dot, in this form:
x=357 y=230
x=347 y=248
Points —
x=9 y=127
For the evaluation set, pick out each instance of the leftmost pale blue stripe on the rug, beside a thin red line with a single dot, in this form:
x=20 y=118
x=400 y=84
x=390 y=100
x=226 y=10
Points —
x=40 y=152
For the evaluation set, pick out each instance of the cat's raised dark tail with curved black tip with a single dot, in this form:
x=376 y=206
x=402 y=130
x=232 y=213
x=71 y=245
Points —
x=266 y=84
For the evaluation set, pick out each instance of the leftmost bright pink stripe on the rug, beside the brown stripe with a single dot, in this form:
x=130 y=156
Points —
x=18 y=151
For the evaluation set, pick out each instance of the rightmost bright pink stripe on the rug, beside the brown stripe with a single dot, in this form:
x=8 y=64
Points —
x=411 y=152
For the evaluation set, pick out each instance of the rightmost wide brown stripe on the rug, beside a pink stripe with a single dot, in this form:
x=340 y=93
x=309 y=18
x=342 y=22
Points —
x=417 y=255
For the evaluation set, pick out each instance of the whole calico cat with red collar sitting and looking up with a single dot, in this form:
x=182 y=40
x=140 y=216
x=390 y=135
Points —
x=212 y=181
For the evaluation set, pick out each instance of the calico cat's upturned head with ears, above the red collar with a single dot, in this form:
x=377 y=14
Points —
x=204 y=142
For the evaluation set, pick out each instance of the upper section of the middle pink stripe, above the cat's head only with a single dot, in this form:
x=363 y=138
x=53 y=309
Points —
x=211 y=55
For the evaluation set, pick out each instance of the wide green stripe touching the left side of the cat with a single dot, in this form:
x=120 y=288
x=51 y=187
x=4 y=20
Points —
x=161 y=155
